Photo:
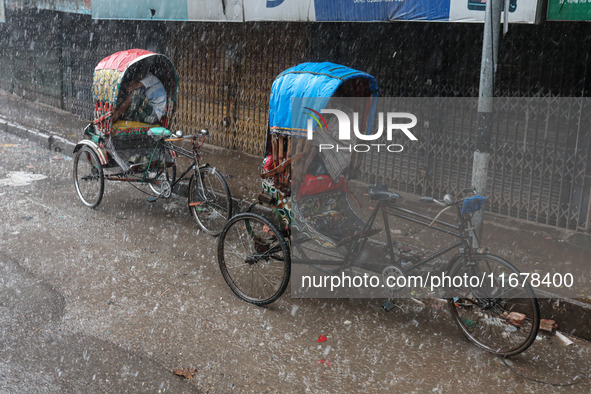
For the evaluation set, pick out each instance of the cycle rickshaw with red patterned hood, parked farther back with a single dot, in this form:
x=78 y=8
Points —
x=144 y=154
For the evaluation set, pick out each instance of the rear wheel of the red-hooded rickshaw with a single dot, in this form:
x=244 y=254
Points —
x=89 y=177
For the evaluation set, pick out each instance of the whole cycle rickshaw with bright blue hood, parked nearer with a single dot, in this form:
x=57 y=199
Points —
x=256 y=251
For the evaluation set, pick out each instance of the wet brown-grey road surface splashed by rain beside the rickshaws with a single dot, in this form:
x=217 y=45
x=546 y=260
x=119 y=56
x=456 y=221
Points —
x=113 y=299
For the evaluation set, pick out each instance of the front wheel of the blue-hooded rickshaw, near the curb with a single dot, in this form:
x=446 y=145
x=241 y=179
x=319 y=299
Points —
x=499 y=316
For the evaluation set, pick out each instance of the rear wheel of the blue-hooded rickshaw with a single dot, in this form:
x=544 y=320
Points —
x=254 y=258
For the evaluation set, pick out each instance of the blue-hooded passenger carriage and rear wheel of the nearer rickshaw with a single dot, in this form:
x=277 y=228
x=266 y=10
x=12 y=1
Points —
x=303 y=189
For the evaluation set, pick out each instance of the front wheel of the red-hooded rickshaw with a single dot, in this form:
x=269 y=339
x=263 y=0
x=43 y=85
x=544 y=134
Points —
x=210 y=201
